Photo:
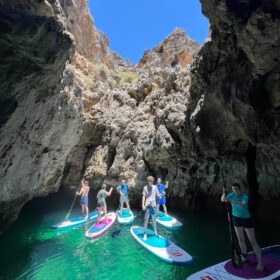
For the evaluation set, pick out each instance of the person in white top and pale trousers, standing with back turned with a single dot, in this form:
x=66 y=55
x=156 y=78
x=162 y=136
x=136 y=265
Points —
x=150 y=194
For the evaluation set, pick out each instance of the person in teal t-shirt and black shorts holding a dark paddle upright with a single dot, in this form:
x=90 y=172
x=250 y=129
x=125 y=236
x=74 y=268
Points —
x=242 y=221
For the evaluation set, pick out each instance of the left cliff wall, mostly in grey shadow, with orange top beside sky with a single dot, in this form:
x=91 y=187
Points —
x=41 y=97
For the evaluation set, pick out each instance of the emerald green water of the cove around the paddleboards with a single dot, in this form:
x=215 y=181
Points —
x=30 y=249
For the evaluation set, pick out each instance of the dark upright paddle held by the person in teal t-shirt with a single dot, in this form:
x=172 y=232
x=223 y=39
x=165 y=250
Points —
x=235 y=249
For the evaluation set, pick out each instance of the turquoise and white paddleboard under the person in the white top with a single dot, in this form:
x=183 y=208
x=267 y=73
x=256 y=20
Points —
x=161 y=247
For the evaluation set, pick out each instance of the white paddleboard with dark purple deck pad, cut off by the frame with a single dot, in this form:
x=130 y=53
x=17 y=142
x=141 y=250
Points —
x=225 y=270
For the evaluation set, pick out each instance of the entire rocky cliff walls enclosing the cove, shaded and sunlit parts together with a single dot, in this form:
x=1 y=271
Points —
x=70 y=108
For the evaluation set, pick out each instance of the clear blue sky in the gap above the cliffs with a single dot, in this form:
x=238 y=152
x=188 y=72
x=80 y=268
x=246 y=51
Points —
x=133 y=26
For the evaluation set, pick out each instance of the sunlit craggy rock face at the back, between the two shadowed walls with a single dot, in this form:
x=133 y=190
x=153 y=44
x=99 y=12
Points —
x=134 y=116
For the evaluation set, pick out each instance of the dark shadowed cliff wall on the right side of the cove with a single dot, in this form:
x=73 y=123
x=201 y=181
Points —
x=236 y=78
